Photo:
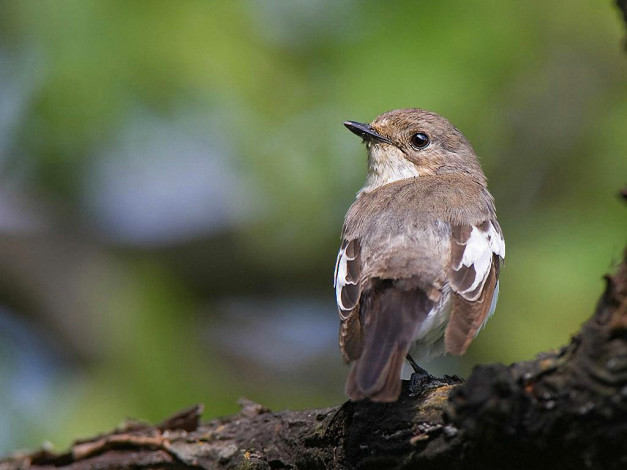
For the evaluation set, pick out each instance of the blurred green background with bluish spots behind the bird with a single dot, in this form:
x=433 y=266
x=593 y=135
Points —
x=174 y=178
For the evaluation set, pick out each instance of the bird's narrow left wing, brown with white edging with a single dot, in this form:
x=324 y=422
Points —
x=348 y=291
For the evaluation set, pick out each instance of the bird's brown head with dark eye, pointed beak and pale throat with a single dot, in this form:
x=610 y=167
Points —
x=408 y=143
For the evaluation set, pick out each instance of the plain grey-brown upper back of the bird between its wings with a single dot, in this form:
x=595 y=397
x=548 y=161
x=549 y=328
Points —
x=404 y=227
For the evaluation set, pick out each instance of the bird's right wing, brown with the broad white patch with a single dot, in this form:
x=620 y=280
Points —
x=476 y=254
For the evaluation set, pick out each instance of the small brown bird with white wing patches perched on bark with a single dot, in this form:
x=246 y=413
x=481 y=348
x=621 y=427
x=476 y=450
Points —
x=418 y=267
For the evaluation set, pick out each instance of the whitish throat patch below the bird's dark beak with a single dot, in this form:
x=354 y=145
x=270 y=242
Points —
x=386 y=164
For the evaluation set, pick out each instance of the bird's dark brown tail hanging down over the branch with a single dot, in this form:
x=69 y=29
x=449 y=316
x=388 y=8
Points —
x=390 y=318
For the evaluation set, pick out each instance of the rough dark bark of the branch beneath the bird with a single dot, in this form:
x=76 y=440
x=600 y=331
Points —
x=566 y=409
